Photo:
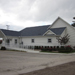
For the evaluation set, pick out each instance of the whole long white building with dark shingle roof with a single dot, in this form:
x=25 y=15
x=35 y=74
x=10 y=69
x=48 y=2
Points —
x=45 y=35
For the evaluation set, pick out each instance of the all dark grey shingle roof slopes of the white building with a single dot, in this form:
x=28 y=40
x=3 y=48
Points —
x=33 y=31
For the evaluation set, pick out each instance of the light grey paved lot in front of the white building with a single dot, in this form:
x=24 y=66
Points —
x=15 y=63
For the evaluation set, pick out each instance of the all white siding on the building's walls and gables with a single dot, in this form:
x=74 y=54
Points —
x=43 y=40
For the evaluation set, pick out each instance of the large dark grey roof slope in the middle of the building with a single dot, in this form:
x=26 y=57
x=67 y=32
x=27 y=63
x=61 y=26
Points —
x=34 y=31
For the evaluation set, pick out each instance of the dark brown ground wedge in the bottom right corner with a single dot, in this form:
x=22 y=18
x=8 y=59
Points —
x=64 y=69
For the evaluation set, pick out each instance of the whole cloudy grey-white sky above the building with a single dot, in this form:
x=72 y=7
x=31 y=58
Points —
x=19 y=14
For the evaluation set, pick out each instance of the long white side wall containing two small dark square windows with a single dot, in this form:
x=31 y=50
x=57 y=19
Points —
x=39 y=41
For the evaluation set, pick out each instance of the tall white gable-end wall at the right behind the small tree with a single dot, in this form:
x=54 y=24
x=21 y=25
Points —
x=70 y=30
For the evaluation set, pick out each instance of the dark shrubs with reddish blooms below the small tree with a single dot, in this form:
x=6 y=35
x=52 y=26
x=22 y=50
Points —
x=62 y=49
